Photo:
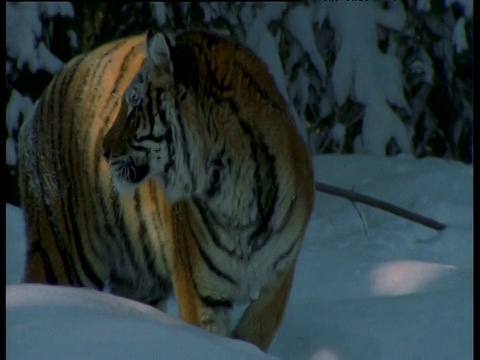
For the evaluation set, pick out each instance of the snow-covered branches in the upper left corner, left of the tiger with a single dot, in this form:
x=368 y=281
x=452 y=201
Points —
x=29 y=35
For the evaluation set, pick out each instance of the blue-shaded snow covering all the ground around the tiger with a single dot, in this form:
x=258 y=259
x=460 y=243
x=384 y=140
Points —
x=368 y=285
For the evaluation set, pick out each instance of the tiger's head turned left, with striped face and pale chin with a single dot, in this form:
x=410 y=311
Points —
x=147 y=139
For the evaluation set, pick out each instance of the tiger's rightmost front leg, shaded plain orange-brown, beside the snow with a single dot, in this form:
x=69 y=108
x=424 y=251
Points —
x=261 y=319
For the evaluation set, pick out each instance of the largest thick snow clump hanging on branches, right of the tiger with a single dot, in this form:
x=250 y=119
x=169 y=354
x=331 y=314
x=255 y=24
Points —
x=367 y=75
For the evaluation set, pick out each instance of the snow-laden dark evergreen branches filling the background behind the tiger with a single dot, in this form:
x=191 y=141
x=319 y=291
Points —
x=360 y=76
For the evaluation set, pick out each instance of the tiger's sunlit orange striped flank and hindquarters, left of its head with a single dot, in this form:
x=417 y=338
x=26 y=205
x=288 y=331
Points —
x=81 y=232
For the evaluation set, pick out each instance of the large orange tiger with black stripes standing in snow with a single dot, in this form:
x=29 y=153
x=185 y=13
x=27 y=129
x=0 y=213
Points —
x=169 y=164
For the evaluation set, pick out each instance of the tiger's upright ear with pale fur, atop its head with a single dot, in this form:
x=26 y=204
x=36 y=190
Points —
x=158 y=53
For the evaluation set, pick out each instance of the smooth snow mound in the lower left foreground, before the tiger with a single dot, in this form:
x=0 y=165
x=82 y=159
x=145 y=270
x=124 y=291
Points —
x=53 y=322
